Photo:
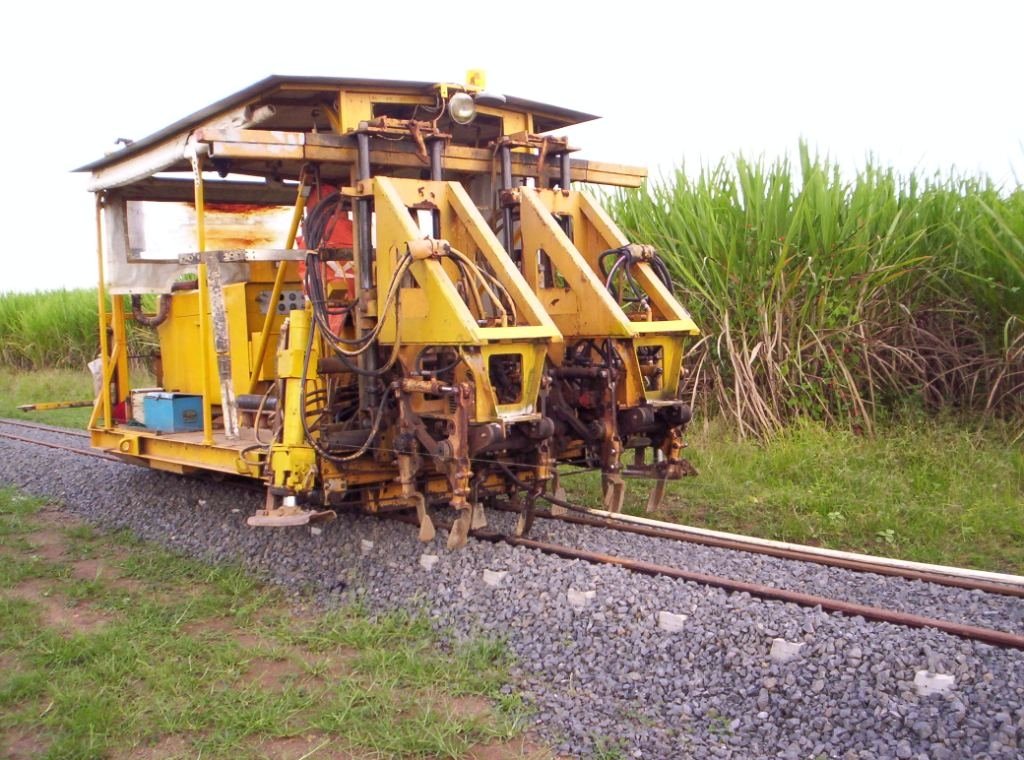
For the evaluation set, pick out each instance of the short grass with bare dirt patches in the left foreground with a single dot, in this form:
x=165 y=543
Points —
x=110 y=647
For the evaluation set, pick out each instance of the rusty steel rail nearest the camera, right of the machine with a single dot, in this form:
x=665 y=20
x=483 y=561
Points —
x=880 y=615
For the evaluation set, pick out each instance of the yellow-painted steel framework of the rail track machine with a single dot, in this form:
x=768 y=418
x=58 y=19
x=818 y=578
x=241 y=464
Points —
x=431 y=311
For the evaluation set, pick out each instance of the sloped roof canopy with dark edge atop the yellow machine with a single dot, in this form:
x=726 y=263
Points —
x=274 y=128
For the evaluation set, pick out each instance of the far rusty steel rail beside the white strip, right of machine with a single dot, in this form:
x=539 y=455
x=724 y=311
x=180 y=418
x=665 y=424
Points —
x=793 y=555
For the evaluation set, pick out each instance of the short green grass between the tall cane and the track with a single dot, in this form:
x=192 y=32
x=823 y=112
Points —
x=929 y=490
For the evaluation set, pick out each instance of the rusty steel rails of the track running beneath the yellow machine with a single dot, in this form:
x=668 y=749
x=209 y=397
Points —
x=667 y=532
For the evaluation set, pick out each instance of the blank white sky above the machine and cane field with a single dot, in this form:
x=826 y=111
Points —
x=927 y=86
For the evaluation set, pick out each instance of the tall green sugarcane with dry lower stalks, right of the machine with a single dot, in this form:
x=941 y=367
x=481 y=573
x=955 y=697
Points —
x=834 y=300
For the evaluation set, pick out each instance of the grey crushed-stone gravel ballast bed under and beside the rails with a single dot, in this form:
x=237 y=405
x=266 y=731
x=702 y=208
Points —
x=606 y=671
